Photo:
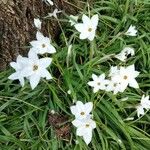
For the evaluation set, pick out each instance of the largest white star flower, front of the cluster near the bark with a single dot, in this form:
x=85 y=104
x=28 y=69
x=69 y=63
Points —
x=36 y=69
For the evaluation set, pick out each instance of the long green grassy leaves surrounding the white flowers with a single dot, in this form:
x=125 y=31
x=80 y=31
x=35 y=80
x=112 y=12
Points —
x=24 y=113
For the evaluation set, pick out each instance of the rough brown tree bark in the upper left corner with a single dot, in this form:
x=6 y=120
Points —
x=17 y=28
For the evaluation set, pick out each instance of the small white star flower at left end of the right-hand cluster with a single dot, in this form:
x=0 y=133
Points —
x=98 y=83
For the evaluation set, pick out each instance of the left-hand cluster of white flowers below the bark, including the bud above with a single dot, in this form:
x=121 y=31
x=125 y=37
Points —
x=33 y=67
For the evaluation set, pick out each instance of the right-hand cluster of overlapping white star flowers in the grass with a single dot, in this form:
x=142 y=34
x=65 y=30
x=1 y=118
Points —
x=120 y=78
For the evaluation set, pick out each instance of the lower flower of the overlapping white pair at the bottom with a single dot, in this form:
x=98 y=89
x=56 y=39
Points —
x=84 y=128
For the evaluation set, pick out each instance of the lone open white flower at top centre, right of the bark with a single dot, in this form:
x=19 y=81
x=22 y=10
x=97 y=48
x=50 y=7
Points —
x=88 y=28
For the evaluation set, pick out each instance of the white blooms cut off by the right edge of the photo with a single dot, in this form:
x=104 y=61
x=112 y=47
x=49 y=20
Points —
x=145 y=104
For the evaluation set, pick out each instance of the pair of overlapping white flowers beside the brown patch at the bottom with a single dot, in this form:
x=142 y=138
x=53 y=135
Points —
x=83 y=120
